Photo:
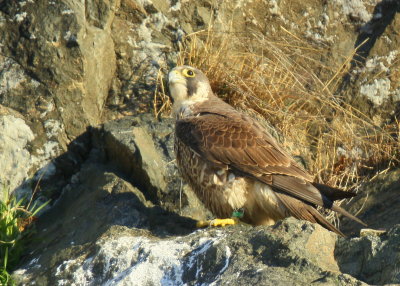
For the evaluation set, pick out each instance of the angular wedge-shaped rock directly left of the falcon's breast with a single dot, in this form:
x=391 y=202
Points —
x=141 y=148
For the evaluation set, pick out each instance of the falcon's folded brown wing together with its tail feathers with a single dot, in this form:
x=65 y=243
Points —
x=230 y=139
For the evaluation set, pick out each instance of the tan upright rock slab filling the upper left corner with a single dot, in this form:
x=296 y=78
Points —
x=56 y=66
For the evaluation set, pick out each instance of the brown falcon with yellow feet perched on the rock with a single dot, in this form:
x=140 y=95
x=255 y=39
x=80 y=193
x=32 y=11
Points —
x=235 y=166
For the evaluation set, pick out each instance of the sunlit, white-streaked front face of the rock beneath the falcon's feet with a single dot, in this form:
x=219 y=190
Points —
x=236 y=256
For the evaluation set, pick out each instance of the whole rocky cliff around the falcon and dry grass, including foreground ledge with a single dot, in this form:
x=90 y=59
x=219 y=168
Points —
x=120 y=212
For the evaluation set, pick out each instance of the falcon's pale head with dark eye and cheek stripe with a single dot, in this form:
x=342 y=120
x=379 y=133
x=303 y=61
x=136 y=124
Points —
x=188 y=85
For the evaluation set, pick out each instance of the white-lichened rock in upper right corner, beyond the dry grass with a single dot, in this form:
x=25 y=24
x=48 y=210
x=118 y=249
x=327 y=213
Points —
x=373 y=81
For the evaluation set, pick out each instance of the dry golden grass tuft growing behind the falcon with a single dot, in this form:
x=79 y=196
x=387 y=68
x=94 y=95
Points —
x=278 y=79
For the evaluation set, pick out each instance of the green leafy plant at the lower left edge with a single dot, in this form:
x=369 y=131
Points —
x=15 y=217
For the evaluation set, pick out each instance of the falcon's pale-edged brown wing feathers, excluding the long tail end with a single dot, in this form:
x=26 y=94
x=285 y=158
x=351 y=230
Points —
x=237 y=143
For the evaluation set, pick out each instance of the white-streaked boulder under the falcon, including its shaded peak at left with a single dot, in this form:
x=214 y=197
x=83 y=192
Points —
x=133 y=244
